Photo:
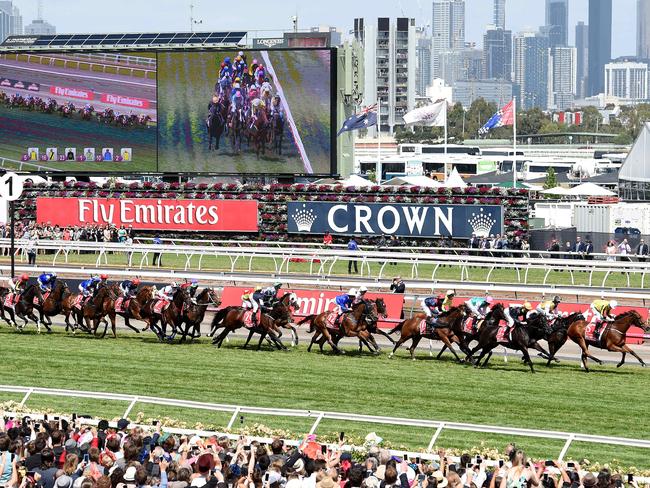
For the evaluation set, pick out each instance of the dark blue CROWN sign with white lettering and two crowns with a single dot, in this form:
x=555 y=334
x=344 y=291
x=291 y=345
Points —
x=401 y=219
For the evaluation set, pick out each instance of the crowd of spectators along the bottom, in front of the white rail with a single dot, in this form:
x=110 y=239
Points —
x=59 y=454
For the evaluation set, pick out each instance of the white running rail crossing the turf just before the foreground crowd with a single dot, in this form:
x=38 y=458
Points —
x=436 y=426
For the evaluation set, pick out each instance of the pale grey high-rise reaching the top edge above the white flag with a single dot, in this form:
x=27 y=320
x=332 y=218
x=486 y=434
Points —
x=447 y=30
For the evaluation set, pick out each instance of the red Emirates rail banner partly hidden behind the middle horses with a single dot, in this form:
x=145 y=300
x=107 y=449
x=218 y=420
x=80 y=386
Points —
x=318 y=301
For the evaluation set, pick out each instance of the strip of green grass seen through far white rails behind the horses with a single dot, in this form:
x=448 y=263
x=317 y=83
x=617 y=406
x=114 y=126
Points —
x=443 y=273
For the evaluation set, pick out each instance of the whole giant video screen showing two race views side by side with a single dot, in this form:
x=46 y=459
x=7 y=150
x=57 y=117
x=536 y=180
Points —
x=225 y=112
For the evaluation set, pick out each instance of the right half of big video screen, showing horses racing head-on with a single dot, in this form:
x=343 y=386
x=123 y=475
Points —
x=245 y=111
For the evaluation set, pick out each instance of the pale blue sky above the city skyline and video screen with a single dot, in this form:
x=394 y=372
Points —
x=173 y=15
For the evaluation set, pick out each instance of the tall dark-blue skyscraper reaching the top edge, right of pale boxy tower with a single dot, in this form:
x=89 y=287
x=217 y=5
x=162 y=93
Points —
x=600 y=43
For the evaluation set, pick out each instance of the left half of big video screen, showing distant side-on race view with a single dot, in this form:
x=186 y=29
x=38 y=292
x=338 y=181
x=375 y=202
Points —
x=83 y=112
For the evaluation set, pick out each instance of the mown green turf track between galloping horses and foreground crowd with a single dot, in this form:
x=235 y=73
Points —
x=607 y=401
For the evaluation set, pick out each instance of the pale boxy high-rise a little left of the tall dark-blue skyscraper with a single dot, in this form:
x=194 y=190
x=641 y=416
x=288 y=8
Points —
x=562 y=77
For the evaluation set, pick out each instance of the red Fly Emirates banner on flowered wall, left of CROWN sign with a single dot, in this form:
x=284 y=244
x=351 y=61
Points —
x=151 y=213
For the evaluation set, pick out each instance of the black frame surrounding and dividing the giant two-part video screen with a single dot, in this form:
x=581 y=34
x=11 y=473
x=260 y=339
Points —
x=334 y=100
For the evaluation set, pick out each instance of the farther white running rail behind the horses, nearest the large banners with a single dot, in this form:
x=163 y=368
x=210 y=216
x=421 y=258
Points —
x=373 y=264
